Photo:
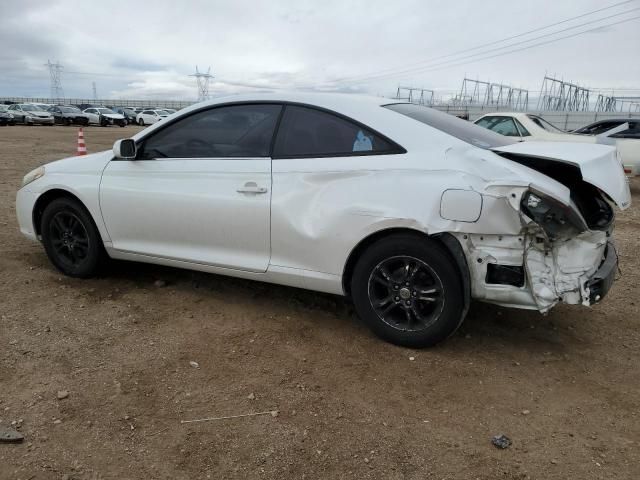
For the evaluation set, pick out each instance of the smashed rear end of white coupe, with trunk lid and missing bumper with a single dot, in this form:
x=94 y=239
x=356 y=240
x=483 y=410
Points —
x=564 y=251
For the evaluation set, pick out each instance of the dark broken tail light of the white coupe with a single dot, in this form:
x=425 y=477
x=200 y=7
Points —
x=556 y=219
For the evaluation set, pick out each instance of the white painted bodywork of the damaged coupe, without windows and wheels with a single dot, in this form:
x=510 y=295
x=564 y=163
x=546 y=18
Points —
x=316 y=211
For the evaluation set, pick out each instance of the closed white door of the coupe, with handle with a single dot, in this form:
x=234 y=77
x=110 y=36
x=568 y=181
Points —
x=190 y=209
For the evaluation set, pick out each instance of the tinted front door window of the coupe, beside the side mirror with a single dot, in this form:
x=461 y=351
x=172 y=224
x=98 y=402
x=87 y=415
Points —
x=222 y=132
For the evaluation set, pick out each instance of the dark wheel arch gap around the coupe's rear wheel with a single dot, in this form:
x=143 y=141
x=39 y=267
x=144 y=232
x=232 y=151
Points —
x=449 y=242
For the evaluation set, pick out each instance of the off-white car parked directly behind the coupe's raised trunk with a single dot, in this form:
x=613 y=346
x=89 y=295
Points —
x=528 y=127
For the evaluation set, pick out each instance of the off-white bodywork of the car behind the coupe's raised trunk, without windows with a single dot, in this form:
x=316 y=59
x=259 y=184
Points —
x=628 y=148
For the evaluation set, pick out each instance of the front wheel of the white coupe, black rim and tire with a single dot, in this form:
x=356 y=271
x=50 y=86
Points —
x=71 y=239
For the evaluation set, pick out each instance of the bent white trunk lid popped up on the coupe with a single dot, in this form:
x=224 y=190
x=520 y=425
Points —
x=599 y=165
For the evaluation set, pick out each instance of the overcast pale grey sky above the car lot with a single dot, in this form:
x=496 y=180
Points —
x=146 y=49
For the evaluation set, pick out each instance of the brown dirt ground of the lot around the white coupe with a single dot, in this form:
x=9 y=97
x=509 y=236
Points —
x=564 y=387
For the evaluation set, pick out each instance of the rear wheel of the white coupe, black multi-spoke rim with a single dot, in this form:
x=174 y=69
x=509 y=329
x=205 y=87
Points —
x=407 y=290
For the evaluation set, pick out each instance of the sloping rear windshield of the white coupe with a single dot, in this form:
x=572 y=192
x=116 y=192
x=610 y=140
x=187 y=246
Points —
x=454 y=126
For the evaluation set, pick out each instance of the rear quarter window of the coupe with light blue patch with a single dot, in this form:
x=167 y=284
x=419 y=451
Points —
x=308 y=132
